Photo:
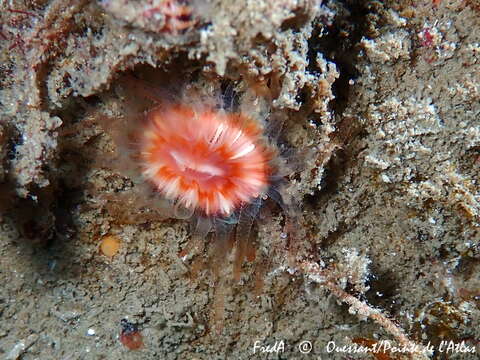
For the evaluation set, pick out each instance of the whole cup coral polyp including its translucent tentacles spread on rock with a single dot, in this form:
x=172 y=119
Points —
x=202 y=153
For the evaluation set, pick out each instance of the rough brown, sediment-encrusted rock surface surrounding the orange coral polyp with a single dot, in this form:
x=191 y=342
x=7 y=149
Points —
x=380 y=105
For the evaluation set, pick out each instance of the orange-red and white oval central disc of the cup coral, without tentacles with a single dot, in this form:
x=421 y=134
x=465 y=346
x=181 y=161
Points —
x=206 y=160
